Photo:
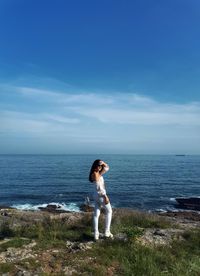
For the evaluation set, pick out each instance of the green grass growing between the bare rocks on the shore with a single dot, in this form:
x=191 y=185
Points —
x=110 y=257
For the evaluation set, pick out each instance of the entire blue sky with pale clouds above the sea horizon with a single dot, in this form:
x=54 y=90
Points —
x=99 y=77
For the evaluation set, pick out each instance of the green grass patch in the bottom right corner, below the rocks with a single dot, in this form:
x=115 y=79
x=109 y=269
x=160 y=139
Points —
x=180 y=258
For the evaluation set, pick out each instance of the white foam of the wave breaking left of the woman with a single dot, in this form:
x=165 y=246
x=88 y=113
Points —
x=62 y=206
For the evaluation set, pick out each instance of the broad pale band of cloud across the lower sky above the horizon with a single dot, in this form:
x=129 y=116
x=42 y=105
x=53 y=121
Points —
x=97 y=120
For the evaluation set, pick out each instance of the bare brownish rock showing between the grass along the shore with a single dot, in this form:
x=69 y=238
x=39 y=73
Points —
x=150 y=236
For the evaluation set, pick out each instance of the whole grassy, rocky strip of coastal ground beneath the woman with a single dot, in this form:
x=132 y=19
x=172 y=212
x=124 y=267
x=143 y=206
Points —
x=62 y=244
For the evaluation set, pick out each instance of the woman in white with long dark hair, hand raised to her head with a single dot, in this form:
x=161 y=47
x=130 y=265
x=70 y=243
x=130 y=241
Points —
x=101 y=199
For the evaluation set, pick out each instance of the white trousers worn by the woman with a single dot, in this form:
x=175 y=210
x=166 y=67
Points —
x=99 y=202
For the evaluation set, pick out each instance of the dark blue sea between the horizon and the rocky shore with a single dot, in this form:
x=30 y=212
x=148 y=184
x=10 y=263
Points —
x=145 y=182
